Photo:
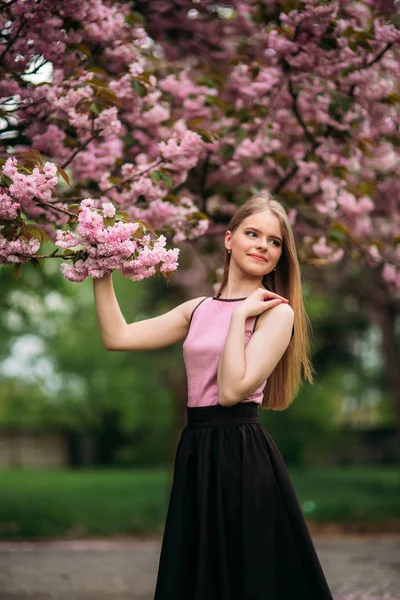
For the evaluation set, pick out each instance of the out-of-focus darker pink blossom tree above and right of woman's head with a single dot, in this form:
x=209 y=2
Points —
x=310 y=94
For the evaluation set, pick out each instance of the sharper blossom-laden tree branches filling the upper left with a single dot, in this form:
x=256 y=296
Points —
x=99 y=118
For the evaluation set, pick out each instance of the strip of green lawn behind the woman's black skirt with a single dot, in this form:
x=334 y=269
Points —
x=82 y=503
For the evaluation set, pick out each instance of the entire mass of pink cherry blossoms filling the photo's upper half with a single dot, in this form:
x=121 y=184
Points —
x=161 y=116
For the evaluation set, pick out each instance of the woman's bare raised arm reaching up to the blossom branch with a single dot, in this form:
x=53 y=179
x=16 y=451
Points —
x=149 y=334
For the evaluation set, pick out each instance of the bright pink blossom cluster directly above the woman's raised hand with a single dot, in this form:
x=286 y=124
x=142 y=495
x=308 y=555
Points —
x=101 y=248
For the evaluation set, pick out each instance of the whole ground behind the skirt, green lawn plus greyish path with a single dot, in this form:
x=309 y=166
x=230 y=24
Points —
x=96 y=534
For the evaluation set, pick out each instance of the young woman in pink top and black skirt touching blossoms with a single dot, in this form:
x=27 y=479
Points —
x=234 y=527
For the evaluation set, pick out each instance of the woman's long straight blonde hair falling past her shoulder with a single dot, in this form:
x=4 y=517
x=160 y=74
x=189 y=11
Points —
x=285 y=380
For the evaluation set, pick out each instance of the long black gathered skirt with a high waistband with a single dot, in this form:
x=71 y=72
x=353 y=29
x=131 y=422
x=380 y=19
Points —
x=234 y=528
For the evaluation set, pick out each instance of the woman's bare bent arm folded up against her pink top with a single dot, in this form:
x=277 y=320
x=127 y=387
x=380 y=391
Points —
x=241 y=369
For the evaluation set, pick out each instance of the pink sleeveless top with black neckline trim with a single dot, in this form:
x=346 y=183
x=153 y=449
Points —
x=203 y=345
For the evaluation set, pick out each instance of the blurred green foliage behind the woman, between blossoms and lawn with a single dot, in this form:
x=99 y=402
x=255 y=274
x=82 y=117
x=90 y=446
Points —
x=124 y=401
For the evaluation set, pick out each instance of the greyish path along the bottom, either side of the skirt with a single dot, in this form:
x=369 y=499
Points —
x=357 y=568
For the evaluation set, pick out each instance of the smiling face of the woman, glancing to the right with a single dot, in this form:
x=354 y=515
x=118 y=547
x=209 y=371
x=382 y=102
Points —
x=261 y=234
